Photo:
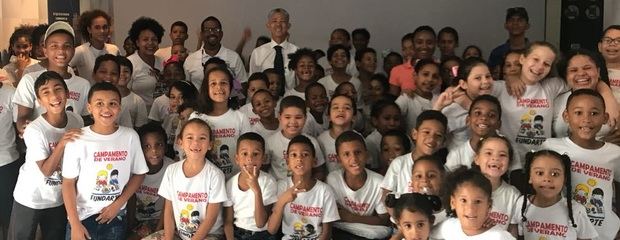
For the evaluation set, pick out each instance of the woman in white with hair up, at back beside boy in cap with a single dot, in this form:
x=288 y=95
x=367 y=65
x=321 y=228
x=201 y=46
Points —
x=95 y=29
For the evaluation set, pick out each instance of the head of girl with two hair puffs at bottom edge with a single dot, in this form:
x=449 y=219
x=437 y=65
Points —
x=413 y=213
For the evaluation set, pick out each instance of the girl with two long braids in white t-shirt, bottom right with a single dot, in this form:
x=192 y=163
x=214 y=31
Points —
x=546 y=213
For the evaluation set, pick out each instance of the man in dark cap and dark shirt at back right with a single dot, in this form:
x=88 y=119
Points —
x=517 y=23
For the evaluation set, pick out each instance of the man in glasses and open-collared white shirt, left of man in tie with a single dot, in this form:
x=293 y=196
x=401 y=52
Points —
x=212 y=33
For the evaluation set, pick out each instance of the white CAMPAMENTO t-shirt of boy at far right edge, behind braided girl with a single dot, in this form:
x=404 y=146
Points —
x=593 y=173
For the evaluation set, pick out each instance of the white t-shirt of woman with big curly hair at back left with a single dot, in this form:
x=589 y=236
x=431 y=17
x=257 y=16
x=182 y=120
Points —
x=143 y=81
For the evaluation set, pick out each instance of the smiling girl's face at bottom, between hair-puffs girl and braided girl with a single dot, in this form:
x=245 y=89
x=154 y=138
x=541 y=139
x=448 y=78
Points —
x=472 y=206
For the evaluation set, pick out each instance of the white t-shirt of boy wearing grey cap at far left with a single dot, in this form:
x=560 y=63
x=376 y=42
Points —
x=78 y=92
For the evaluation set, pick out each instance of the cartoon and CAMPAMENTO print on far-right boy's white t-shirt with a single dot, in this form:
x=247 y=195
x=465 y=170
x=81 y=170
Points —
x=588 y=193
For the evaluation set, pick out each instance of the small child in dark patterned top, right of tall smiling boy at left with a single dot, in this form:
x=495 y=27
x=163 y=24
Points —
x=145 y=208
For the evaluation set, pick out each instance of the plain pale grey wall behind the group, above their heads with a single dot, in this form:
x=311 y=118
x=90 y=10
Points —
x=479 y=22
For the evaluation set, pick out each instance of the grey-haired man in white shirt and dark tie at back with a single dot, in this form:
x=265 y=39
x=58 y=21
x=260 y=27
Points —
x=274 y=54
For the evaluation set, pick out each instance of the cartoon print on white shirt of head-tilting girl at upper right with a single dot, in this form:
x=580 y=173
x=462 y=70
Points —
x=531 y=131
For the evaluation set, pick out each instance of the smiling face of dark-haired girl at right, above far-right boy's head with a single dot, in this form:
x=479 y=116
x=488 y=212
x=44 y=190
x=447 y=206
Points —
x=582 y=72
